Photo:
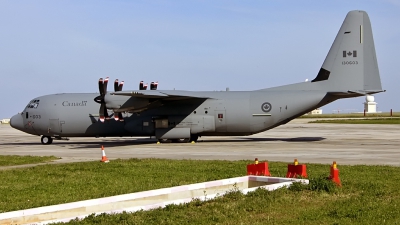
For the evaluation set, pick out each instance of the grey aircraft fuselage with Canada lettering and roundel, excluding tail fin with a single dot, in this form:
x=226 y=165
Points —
x=223 y=113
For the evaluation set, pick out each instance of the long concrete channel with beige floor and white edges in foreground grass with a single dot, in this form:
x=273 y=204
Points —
x=142 y=200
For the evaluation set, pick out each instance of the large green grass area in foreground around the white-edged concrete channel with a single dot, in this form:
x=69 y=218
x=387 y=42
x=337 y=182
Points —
x=370 y=194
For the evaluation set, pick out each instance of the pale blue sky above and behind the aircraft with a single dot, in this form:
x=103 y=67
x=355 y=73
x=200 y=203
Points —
x=51 y=47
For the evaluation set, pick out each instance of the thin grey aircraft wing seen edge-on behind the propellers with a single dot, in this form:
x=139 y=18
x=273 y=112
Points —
x=165 y=95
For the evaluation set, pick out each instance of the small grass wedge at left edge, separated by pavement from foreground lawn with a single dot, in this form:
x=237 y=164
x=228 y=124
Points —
x=12 y=160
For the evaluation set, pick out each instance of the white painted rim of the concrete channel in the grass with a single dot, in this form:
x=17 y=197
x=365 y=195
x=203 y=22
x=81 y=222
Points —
x=18 y=215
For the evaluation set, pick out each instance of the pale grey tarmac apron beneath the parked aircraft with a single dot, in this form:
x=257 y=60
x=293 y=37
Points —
x=309 y=143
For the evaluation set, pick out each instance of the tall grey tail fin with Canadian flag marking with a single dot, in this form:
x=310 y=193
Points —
x=351 y=64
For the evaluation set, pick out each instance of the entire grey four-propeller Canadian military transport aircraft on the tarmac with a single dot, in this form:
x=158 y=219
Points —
x=349 y=70
